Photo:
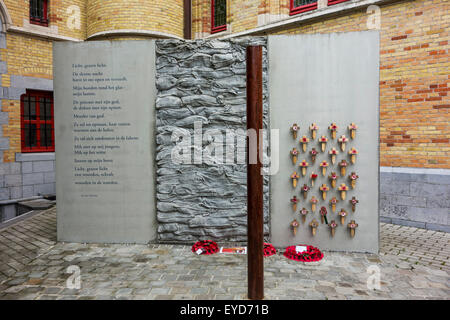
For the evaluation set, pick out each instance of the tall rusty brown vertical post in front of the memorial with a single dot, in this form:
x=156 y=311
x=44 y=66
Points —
x=255 y=221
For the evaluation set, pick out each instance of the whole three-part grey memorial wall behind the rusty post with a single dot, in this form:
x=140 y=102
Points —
x=150 y=139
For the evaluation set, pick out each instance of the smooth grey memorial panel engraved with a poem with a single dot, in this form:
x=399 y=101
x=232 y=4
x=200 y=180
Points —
x=118 y=208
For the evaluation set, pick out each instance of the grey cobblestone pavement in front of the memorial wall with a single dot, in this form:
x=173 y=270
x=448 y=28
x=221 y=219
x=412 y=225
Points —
x=36 y=269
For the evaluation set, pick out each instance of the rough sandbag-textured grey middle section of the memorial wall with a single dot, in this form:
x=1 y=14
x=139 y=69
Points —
x=205 y=82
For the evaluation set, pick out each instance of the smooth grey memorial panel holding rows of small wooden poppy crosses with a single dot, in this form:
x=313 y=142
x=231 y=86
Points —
x=326 y=78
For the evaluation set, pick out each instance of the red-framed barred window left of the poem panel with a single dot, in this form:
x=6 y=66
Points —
x=37 y=121
